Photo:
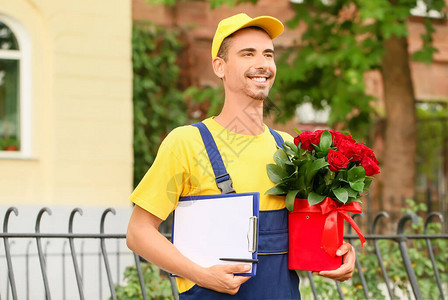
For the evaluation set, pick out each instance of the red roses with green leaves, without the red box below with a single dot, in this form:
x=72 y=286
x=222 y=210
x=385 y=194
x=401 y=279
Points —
x=321 y=164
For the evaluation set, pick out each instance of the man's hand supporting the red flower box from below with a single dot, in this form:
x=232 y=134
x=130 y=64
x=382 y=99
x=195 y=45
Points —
x=345 y=271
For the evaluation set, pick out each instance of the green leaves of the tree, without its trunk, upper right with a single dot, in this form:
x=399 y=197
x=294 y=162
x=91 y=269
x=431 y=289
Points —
x=342 y=41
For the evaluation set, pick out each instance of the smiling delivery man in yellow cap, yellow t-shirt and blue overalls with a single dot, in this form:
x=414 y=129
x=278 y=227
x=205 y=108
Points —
x=243 y=57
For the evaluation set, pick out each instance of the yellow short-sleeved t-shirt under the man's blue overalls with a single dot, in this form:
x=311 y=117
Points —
x=182 y=168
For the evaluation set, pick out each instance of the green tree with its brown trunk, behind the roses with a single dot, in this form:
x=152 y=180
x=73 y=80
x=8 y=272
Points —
x=344 y=39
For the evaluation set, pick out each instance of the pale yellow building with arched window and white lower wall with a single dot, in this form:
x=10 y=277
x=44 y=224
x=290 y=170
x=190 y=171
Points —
x=65 y=133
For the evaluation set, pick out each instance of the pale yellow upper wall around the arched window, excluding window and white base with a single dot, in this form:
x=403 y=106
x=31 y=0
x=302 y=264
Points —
x=81 y=105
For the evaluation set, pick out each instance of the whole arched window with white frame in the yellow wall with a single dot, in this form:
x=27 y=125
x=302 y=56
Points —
x=15 y=117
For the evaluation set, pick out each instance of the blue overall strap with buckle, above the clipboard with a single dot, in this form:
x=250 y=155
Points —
x=222 y=178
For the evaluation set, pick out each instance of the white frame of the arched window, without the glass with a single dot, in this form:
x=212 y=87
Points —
x=25 y=87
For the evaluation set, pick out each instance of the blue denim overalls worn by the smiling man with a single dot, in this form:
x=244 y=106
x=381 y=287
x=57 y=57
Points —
x=273 y=279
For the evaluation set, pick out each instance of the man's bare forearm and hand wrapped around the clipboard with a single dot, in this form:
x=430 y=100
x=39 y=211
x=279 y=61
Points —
x=144 y=238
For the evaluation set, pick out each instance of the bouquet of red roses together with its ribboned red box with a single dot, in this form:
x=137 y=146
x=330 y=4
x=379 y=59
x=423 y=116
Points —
x=323 y=175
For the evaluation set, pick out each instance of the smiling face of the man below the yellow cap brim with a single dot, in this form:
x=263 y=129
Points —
x=250 y=67
